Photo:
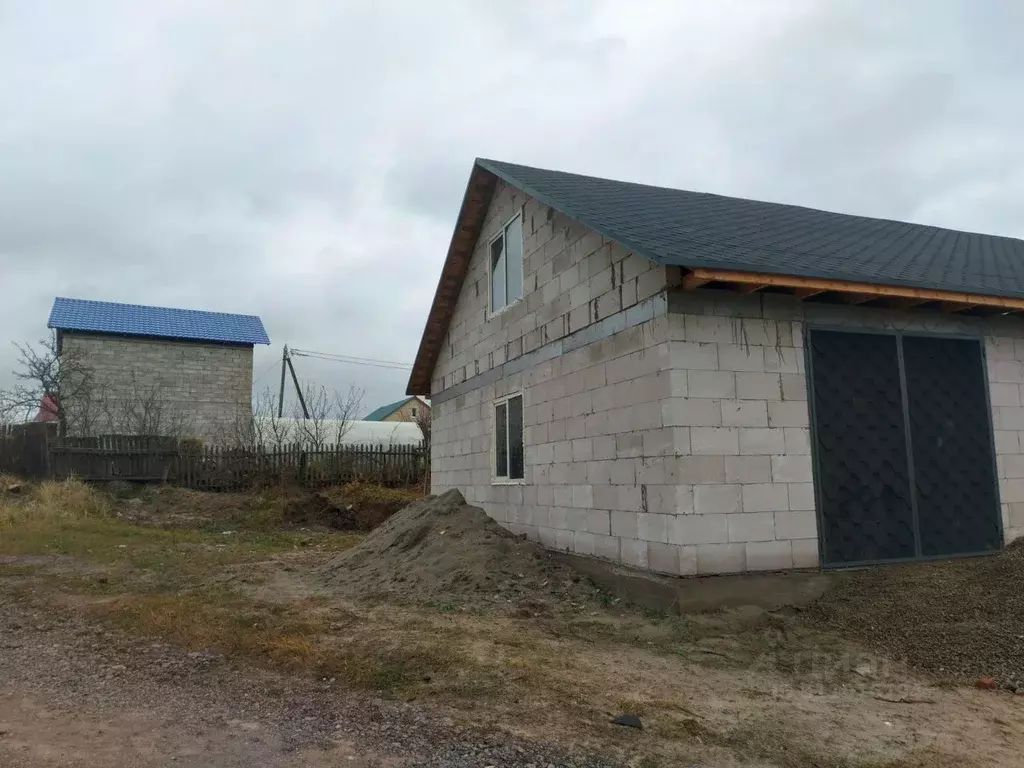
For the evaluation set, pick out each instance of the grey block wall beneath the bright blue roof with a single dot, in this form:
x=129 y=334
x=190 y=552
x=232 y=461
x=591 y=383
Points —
x=206 y=389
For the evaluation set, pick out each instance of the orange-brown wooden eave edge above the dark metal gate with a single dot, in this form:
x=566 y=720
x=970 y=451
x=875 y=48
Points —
x=806 y=287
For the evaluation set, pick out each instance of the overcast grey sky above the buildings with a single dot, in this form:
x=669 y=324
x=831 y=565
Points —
x=306 y=161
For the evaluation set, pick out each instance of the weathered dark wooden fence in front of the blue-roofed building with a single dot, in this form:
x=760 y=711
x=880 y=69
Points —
x=133 y=459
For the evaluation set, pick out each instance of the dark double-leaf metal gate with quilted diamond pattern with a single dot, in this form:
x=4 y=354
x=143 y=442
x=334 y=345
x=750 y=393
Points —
x=905 y=464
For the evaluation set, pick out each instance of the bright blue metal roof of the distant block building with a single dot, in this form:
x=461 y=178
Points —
x=135 y=320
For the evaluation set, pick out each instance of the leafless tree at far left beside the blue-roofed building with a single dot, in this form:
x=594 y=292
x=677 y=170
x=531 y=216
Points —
x=58 y=379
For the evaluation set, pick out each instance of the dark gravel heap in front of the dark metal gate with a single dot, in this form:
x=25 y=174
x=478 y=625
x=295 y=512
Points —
x=959 y=619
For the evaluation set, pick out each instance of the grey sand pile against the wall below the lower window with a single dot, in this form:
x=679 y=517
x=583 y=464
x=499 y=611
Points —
x=442 y=550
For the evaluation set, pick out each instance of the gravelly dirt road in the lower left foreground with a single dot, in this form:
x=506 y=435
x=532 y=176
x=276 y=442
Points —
x=74 y=696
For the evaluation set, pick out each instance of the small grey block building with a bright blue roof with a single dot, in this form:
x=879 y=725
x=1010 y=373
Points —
x=159 y=371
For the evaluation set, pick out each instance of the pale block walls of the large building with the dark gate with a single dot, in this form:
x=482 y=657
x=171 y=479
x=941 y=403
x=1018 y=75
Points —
x=682 y=444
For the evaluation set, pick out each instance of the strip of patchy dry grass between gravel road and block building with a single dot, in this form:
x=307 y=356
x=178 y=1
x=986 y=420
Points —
x=697 y=682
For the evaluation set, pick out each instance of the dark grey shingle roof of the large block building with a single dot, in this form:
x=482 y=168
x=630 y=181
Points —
x=697 y=230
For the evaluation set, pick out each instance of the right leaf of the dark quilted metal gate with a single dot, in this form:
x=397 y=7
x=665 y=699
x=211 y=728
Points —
x=954 y=465
